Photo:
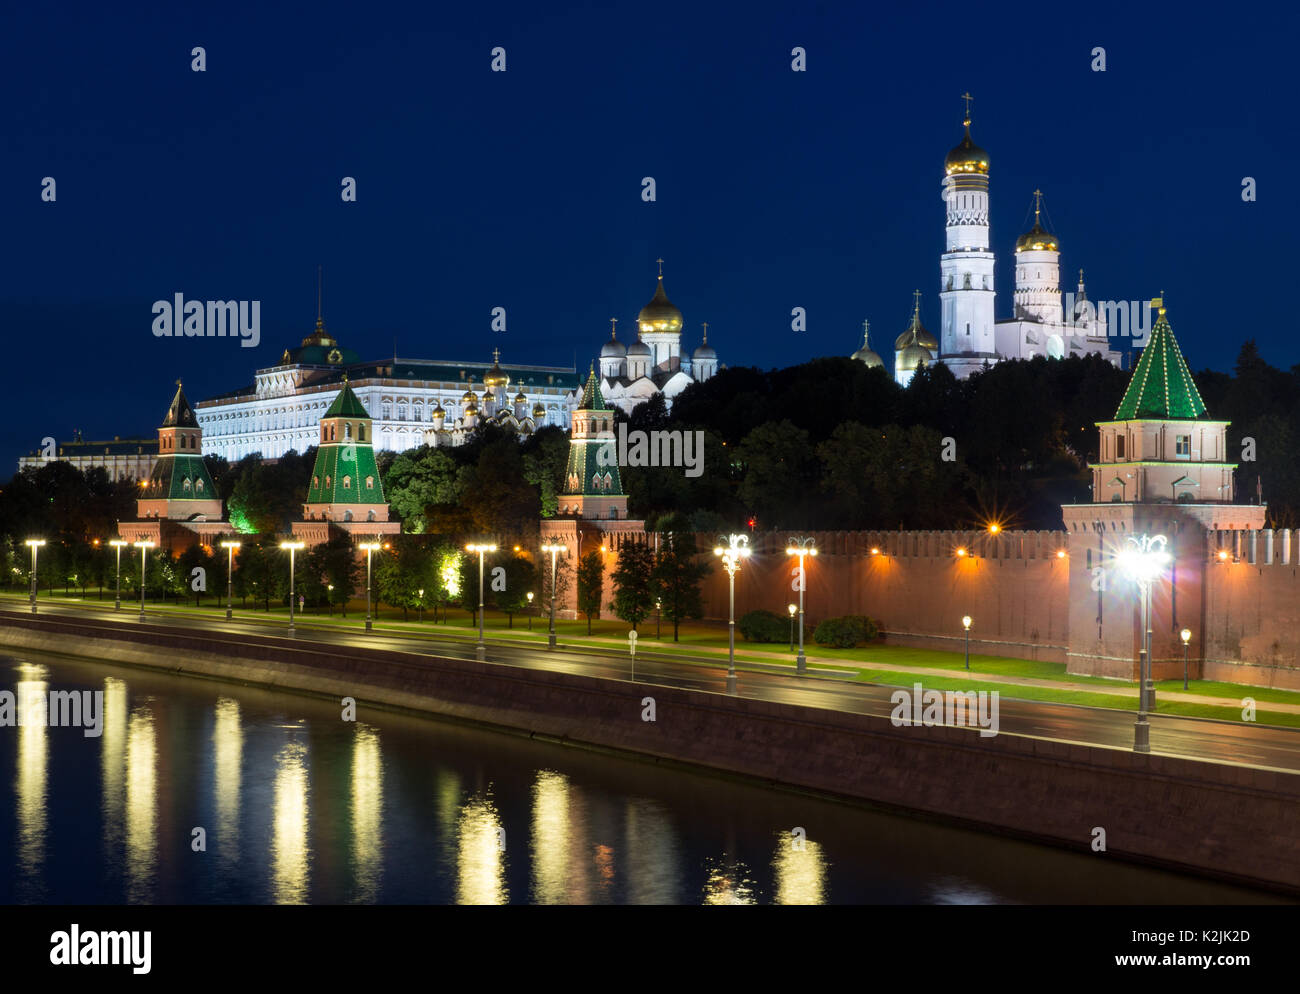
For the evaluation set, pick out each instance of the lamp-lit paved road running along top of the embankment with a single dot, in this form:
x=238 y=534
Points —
x=1207 y=740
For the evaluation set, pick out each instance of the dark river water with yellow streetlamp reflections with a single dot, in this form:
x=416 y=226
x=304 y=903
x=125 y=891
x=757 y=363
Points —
x=298 y=806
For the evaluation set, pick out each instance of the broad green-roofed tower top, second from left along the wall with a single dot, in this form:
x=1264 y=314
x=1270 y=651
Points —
x=345 y=487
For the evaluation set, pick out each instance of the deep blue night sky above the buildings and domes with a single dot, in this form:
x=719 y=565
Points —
x=523 y=189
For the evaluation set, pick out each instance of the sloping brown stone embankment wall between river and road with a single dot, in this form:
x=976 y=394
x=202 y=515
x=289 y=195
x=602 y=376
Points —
x=1221 y=821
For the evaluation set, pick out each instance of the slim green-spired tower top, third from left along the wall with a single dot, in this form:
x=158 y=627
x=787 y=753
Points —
x=592 y=485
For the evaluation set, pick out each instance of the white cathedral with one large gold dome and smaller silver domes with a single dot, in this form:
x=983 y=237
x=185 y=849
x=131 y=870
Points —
x=655 y=363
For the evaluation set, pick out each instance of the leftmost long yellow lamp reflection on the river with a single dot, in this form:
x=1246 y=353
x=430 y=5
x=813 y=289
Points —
x=31 y=783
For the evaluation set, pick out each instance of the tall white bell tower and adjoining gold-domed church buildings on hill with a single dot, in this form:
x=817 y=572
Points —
x=969 y=332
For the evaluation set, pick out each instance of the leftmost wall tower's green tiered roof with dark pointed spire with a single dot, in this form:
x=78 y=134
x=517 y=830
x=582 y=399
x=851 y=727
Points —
x=180 y=487
